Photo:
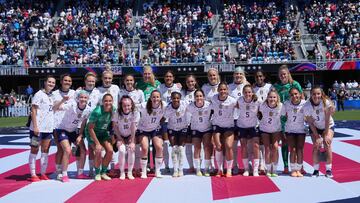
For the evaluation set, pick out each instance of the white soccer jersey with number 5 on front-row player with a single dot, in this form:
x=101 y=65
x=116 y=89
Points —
x=247 y=113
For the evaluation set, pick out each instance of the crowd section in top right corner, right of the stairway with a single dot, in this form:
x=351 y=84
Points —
x=339 y=24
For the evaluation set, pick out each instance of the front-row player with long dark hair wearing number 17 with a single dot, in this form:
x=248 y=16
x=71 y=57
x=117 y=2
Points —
x=152 y=113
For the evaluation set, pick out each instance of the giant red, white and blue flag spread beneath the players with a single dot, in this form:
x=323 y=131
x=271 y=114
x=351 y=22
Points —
x=14 y=186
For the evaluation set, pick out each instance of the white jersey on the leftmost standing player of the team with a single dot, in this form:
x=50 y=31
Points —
x=44 y=113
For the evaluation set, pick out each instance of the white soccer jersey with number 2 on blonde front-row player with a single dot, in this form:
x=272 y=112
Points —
x=270 y=121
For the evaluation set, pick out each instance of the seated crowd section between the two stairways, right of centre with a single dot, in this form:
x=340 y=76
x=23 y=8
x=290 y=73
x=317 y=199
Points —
x=263 y=32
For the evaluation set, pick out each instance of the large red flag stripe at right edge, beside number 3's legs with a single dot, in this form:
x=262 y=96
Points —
x=344 y=169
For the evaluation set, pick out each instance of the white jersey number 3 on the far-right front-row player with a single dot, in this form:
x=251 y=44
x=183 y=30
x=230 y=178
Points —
x=318 y=113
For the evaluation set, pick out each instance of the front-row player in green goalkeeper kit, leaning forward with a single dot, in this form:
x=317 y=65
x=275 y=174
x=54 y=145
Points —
x=98 y=136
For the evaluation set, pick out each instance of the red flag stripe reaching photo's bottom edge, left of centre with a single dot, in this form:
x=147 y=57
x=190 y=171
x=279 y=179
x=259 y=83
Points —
x=112 y=191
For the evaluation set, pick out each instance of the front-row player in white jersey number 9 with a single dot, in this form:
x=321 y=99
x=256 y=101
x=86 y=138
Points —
x=200 y=114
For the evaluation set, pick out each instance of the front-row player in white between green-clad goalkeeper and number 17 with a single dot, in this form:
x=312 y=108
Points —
x=125 y=124
